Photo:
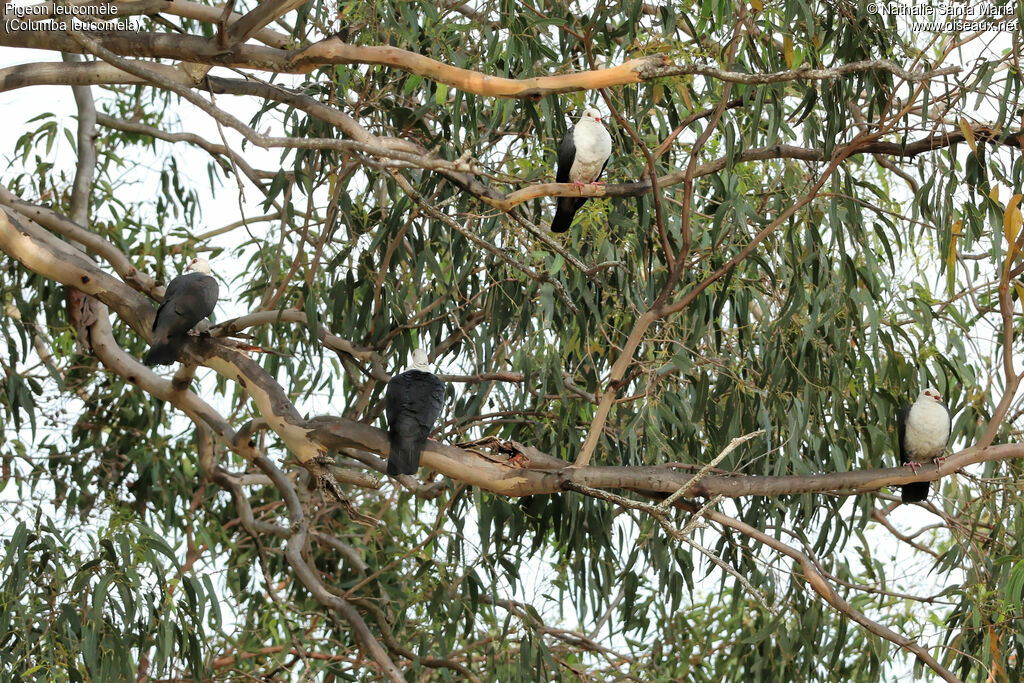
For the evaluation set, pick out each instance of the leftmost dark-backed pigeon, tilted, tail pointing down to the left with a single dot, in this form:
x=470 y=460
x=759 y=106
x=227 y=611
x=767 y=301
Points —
x=189 y=300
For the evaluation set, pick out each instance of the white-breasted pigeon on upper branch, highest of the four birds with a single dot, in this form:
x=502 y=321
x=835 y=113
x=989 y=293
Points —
x=582 y=158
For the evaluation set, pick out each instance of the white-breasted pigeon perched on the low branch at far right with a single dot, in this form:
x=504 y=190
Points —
x=924 y=433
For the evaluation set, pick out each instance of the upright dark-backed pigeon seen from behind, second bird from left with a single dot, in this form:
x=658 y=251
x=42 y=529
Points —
x=414 y=401
